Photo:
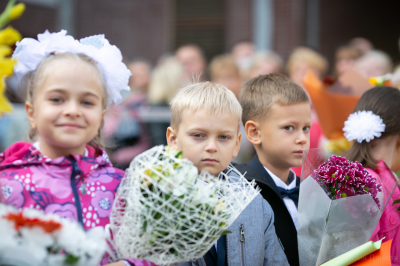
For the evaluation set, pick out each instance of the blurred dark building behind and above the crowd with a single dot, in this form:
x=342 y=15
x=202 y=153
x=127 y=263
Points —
x=151 y=28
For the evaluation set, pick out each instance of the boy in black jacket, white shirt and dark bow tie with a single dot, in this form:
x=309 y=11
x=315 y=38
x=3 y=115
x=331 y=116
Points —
x=277 y=119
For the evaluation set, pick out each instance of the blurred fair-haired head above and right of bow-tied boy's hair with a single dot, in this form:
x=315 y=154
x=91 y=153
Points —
x=303 y=59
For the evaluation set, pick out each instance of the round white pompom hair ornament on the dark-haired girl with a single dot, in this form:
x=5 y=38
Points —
x=363 y=125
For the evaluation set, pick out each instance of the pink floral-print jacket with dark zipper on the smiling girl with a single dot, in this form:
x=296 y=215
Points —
x=30 y=179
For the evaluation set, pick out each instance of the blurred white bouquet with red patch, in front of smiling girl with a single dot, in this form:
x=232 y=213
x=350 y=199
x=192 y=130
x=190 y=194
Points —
x=29 y=237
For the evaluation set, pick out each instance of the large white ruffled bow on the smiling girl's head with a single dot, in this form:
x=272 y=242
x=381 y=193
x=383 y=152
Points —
x=30 y=52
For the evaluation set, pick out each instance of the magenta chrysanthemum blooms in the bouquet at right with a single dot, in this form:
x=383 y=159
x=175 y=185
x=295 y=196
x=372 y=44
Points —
x=344 y=179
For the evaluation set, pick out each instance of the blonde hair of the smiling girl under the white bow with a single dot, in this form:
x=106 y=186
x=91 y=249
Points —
x=33 y=79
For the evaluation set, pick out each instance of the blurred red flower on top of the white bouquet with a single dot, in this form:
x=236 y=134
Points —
x=21 y=221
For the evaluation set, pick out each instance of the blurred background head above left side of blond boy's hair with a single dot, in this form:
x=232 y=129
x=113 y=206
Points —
x=193 y=60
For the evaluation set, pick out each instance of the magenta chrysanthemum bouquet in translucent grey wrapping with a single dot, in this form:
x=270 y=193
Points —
x=340 y=204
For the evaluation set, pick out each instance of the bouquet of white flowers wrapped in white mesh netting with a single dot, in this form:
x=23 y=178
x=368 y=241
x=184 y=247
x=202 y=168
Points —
x=178 y=217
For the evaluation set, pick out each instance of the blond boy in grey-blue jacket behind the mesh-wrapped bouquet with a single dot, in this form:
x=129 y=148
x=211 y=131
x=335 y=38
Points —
x=205 y=127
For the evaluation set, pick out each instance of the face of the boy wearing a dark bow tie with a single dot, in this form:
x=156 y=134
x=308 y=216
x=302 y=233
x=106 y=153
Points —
x=284 y=135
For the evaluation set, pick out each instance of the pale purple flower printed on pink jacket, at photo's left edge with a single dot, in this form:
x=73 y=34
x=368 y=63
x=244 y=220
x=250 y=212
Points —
x=12 y=192
